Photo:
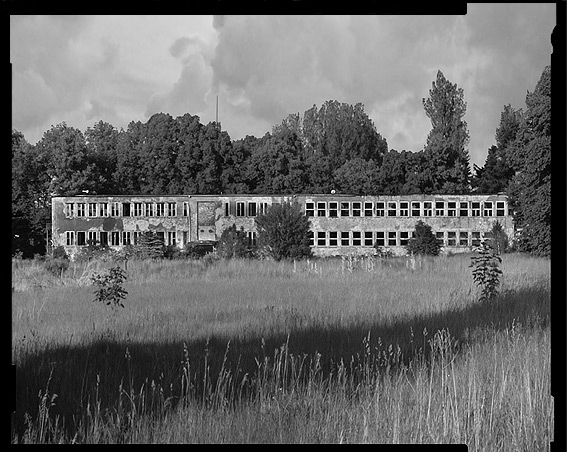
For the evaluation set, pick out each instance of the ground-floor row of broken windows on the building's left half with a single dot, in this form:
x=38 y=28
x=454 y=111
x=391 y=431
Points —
x=120 y=238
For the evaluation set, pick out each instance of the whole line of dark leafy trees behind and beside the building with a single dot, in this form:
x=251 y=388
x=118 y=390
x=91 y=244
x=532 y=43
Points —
x=332 y=147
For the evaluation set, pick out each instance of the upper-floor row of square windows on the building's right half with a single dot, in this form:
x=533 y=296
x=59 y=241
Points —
x=405 y=209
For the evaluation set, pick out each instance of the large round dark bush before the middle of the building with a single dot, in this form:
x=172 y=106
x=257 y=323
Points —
x=283 y=232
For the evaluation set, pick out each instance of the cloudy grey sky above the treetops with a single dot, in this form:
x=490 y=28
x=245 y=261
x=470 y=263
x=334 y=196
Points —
x=82 y=69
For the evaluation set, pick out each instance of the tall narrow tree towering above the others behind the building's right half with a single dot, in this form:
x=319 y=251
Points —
x=446 y=152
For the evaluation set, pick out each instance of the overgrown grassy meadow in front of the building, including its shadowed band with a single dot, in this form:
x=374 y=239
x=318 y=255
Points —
x=259 y=351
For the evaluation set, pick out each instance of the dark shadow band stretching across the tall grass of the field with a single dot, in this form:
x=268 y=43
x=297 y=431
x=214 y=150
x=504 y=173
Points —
x=89 y=378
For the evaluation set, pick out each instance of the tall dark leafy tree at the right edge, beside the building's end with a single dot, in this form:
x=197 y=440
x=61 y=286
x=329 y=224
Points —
x=530 y=157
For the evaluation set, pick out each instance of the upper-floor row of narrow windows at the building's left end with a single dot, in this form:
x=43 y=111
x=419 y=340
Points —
x=124 y=209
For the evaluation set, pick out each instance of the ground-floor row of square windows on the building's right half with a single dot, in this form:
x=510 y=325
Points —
x=391 y=238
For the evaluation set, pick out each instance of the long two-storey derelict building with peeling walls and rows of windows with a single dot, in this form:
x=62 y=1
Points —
x=340 y=224
